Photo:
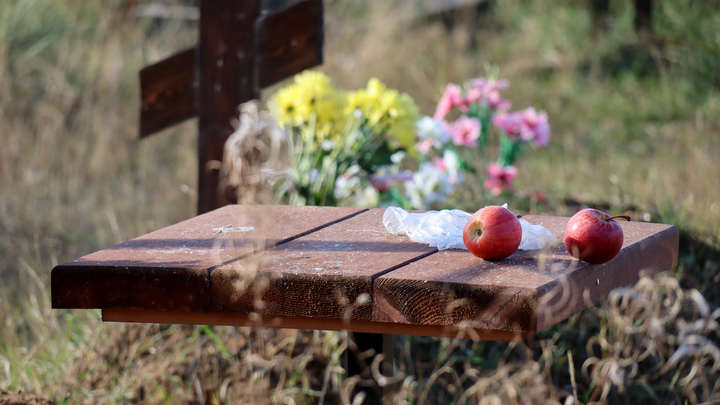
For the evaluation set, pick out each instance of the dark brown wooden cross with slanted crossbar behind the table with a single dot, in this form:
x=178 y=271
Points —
x=239 y=51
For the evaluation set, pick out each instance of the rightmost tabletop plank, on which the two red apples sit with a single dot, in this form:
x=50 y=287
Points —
x=524 y=293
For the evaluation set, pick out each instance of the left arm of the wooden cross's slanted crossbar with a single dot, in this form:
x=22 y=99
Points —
x=167 y=92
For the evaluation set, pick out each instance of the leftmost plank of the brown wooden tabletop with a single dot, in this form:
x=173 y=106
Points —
x=169 y=269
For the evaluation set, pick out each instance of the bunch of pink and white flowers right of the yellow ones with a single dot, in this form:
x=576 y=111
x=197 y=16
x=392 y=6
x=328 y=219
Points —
x=461 y=125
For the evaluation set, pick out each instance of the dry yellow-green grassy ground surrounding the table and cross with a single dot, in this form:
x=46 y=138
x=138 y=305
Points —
x=635 y=127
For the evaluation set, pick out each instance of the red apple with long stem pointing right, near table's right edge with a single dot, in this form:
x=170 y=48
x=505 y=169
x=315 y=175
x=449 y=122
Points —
x=594 y=236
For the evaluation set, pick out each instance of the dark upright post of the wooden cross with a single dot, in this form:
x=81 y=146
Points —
x=226 y=78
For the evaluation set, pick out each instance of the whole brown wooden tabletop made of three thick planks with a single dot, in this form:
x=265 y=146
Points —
x=337 y=268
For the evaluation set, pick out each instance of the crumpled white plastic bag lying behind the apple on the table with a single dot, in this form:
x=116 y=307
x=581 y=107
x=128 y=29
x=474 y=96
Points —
x=443 y=229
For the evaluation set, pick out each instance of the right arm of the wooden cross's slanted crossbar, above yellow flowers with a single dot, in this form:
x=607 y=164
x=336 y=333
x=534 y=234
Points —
x=289 y=41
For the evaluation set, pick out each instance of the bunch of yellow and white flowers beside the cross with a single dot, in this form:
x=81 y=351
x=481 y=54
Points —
x=340 y=139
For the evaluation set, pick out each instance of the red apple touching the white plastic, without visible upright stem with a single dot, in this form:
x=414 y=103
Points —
x=492 y=233
